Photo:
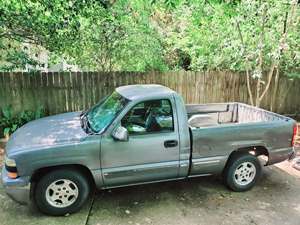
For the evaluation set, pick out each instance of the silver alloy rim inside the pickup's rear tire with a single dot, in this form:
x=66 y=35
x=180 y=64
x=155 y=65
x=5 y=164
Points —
x=245 y=173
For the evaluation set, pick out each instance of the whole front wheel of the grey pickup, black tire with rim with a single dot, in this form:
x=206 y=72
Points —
x=61 y=191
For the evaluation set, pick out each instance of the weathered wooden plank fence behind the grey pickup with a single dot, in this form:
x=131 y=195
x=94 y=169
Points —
x=61 y=92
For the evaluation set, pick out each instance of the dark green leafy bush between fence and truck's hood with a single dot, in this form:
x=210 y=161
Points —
x=10 y=122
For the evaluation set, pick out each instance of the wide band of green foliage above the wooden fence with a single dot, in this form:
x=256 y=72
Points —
x=142 y=35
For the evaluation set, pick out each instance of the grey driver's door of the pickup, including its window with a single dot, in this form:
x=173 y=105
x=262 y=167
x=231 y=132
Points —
x=152 y=151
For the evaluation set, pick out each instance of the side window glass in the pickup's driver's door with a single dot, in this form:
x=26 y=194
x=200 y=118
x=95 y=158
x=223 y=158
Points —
x=149 y=117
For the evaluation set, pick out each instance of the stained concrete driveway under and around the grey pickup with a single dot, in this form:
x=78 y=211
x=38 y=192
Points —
x=274 y=200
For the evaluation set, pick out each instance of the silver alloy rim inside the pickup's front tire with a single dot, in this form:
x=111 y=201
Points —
x=62 y=193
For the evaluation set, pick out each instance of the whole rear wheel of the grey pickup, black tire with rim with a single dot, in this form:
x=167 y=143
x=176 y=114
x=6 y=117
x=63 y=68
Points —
x=242 y=172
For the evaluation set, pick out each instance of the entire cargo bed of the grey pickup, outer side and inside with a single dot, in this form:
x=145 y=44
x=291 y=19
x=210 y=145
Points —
x=219 y=129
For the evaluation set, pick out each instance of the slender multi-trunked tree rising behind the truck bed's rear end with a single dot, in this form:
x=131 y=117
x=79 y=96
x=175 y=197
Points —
x=266 y=15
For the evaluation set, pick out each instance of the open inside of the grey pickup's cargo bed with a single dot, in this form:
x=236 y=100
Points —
x=205 y=115
